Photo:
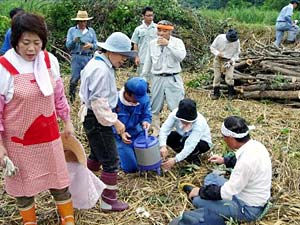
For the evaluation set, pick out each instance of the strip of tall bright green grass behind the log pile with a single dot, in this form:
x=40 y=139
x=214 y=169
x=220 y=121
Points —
x=250 y=15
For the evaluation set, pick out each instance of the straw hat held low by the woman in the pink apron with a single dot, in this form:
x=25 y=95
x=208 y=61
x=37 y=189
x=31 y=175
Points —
x=74 y=151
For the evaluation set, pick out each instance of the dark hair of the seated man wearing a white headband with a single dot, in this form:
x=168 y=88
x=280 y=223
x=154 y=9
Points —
x=237 y=125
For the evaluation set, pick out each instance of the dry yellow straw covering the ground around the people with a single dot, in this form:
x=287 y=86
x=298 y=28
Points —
x=276 y=126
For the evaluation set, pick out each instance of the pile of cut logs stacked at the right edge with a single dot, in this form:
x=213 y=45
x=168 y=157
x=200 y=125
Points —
x=268 y=72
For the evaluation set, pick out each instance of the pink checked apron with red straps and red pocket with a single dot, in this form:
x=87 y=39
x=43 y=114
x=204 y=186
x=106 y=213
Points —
x=31 y=137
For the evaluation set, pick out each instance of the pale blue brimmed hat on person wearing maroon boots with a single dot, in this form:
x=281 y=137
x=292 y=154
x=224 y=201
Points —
x=118 y=42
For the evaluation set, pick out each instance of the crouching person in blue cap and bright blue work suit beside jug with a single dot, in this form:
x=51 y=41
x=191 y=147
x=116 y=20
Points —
x=134 y=112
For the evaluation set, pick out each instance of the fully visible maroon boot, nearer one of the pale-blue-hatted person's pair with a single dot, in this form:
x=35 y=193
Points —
x=109 y=195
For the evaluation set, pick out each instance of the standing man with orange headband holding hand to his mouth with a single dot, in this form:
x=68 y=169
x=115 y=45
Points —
x=163 y=60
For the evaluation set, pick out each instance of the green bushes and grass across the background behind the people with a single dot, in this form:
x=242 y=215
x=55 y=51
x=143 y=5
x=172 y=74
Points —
x=197 y=21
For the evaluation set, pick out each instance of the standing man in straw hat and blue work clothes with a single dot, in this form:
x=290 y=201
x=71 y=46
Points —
x=81 y=41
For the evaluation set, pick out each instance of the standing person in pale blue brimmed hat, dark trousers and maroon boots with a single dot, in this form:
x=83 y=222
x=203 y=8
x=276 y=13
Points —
x=98 y=94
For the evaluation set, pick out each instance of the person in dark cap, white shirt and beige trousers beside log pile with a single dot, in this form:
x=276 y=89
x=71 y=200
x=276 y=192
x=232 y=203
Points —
x=226 y=49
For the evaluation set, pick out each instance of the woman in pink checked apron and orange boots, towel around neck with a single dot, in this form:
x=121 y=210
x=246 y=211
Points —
x=31 y=97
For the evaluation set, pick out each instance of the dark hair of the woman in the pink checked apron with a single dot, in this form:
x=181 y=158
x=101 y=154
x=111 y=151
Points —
x=28 y=22
